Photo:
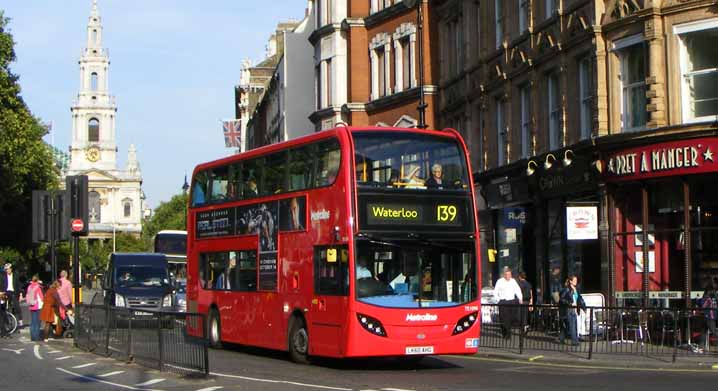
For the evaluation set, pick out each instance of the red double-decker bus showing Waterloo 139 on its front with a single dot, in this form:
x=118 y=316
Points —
x=351 y=242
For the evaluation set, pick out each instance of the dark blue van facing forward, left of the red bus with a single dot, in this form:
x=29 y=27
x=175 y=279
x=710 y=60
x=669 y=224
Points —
x=139 y=281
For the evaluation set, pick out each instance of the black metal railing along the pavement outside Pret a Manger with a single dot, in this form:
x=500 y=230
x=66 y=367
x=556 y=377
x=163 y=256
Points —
x=601 y=330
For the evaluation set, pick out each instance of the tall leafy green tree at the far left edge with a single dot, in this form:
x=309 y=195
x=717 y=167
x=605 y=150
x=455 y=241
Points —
x=26 y=162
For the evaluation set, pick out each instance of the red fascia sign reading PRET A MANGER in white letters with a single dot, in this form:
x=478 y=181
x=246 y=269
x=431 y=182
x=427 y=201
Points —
x=665 y=159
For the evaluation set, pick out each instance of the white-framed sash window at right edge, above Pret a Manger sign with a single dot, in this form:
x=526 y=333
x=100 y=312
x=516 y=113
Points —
x=699 y=70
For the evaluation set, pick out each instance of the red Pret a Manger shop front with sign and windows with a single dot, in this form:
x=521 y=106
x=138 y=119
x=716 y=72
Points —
x=664 y=220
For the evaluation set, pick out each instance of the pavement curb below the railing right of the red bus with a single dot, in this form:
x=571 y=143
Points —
x=644 y=364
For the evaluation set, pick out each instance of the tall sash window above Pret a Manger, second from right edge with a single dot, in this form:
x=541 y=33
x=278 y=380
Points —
x=631 y=52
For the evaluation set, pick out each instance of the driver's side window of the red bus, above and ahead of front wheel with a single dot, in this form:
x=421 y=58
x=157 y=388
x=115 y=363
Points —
x=330 y=270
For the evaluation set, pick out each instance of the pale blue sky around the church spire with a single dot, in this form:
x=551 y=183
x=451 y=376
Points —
x=173 y=68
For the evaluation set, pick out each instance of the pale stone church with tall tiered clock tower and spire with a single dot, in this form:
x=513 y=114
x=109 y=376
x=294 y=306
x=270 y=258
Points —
x=115 y=199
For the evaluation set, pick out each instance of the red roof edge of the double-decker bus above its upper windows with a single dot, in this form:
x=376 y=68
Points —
x=448 y=132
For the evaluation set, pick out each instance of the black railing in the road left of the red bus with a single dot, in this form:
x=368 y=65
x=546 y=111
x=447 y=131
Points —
x=167 y=341
